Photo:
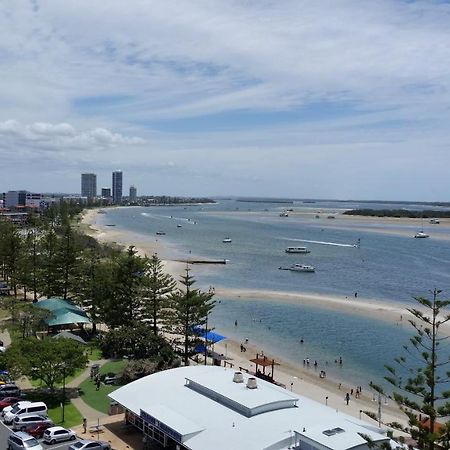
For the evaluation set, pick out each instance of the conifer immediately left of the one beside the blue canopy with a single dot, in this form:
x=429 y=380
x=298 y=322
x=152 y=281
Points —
x=157 y=287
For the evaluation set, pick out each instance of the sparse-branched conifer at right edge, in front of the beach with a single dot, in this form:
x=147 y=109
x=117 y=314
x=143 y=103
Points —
x=421 y=376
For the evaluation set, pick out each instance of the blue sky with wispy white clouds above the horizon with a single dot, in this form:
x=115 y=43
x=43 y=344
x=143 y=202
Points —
x=284 y=98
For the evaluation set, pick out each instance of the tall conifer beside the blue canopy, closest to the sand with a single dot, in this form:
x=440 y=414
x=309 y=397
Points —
x=190 y=308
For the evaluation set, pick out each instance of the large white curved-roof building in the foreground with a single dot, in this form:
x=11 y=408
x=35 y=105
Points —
x=210 y=407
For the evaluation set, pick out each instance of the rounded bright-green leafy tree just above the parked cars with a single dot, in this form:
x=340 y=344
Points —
x=48 y=360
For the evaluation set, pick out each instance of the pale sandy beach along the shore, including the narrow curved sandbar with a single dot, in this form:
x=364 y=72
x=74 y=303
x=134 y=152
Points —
x=302 y=380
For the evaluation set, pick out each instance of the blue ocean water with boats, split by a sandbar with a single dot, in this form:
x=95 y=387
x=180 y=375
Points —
x=386 y=267
